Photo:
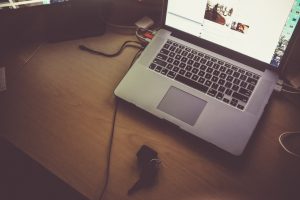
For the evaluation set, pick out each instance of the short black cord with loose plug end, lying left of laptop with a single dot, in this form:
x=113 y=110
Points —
x=124 y=45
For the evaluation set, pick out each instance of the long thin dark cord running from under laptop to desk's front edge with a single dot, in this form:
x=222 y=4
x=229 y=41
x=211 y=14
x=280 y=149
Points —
x=112 y=137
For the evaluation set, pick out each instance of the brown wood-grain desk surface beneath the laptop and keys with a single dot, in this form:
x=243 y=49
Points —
x=59 y=110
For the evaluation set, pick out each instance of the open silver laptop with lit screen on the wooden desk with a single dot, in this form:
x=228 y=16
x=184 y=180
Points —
x=213 y=66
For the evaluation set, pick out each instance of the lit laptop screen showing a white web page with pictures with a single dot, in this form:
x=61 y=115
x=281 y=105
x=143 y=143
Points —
x=258 y=29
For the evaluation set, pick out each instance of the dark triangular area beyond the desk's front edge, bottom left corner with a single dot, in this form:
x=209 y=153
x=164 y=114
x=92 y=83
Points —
x=23 y=178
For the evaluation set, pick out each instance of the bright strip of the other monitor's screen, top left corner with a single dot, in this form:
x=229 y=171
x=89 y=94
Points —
x=14 y=4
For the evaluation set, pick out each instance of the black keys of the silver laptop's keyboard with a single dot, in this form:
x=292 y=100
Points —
x=226 y=82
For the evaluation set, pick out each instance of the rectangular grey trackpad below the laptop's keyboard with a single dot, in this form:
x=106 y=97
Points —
x=182 y=105
